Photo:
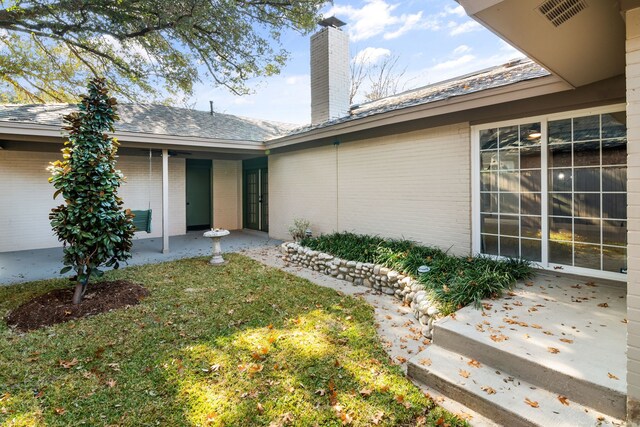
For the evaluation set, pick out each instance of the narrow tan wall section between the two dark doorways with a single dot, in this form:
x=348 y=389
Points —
x=227 y=194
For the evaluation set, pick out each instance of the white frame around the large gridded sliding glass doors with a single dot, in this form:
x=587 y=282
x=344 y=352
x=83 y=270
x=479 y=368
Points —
x=544 y=169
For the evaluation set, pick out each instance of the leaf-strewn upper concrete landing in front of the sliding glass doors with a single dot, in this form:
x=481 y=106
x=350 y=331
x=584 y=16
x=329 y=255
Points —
x=584 y=320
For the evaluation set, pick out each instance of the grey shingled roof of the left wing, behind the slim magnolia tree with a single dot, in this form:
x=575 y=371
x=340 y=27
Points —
x=158 y=120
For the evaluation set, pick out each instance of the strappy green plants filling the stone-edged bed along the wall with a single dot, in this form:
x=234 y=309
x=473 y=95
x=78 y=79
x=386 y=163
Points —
x=454 y=282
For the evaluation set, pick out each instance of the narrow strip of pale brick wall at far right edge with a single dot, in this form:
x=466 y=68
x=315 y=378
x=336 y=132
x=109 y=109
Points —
x=633 y=213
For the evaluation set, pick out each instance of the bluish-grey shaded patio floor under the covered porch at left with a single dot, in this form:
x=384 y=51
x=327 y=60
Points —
x=25 y=266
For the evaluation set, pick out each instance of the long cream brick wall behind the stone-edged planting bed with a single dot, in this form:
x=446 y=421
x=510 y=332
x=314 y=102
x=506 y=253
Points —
x=414 y=185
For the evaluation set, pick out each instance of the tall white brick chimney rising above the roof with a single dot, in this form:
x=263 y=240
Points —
x=330 y=74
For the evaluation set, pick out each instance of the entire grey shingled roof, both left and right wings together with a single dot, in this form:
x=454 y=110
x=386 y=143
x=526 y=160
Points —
x=173 y=121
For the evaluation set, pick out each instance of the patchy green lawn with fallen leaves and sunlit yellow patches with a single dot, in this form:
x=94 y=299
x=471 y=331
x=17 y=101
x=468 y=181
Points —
x=238 y=345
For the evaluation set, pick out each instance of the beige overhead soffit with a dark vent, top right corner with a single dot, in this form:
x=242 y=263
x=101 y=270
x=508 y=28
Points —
x=586 y=47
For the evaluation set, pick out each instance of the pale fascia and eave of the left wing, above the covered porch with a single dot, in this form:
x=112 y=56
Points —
x=47 y=133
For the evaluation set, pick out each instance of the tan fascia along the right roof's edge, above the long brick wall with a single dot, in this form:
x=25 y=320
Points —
x=527 y=89
